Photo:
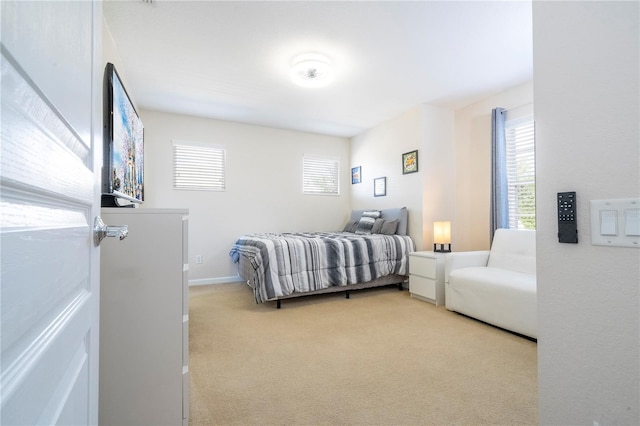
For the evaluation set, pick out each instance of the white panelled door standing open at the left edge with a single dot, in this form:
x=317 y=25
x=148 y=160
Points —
x=49 y=170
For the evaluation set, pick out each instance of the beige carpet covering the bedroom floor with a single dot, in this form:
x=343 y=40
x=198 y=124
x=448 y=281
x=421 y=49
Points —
x=378 y=358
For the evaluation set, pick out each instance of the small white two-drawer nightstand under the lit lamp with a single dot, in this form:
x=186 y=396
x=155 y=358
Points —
x=426 y=276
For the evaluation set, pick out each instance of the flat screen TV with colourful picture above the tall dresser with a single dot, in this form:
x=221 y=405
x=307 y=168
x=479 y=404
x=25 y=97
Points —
x=123 y=165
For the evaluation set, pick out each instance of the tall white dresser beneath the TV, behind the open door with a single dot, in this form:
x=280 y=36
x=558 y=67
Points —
x=144 y=319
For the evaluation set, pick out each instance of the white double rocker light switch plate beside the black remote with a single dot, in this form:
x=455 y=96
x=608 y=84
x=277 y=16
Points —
x=615 y=223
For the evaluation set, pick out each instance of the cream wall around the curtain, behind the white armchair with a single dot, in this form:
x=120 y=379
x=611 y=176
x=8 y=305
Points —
x=470 y=226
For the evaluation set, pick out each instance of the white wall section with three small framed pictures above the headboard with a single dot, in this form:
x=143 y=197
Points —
x=427 y=194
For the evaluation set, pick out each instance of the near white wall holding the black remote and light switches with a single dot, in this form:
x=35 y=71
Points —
x=586 y=72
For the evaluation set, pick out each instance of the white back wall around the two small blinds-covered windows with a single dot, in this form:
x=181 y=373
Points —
x=264 y=185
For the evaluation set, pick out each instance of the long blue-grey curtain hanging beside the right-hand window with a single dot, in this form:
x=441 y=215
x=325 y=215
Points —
x=499 y=195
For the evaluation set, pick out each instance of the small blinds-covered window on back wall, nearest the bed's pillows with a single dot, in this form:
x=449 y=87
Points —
x=320 y=176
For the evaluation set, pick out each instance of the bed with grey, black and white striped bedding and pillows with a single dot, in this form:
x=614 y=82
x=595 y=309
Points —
x=372 y=250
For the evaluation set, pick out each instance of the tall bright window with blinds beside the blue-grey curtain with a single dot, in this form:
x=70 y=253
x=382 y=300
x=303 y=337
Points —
x=521 y=173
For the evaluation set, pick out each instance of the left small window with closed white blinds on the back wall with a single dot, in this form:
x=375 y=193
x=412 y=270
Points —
x=198 y=167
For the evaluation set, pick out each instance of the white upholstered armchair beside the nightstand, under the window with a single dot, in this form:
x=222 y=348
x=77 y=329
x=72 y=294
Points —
x=497 y=286
